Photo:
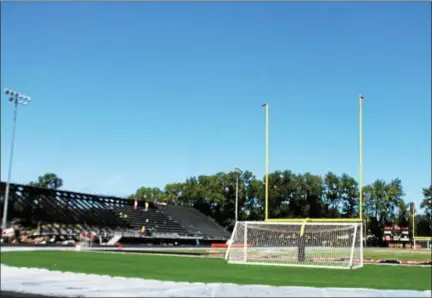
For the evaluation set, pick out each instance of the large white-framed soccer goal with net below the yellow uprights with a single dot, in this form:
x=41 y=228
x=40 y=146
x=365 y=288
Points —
x=301 y=244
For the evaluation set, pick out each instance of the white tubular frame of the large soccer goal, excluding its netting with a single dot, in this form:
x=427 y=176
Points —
x=358 y=230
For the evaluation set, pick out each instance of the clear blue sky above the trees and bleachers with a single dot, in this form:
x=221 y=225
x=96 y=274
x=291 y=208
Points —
x=143 y=94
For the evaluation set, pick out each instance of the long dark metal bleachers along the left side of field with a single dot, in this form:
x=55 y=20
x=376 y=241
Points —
x=59 y=212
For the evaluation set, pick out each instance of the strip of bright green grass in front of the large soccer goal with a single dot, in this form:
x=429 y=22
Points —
x=187 y=269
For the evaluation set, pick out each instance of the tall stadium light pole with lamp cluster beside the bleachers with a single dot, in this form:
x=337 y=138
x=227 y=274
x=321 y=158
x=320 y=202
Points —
x=16 y=98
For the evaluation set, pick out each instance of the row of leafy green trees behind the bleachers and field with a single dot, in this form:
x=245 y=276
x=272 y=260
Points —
x=291 y=195
